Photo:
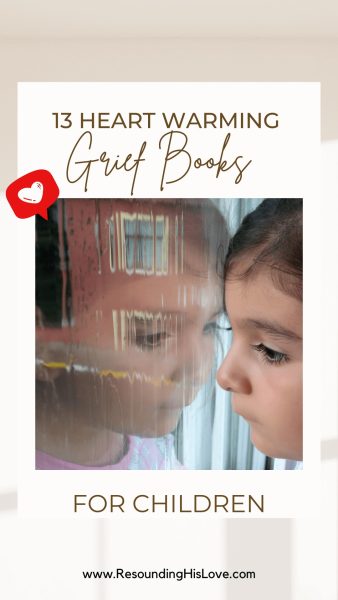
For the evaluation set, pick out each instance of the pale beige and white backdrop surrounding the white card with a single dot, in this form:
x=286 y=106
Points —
x=79 y=41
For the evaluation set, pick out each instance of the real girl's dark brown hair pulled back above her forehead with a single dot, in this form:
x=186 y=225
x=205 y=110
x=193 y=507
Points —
x=271 y=237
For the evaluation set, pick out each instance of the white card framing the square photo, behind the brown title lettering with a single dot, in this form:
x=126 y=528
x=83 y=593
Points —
x=293 y=172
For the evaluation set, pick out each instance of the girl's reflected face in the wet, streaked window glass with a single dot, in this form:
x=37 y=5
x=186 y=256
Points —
x=135 y=372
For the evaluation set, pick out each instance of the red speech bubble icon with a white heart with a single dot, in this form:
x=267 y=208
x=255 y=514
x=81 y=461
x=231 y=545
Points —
x=32 y=194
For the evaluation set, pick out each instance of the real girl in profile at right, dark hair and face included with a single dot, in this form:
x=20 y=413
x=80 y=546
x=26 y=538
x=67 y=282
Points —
x=263 y=300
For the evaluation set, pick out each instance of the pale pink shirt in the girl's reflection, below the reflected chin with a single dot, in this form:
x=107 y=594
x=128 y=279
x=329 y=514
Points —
x=143 y=454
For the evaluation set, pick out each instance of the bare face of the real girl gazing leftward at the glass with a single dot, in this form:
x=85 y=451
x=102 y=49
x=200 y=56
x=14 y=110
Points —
x=263 y=368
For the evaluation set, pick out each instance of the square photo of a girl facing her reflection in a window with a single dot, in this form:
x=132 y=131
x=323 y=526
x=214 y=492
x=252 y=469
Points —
x=130 y=326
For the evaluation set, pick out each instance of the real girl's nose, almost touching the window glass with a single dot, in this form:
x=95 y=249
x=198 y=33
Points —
x=232 y=374
